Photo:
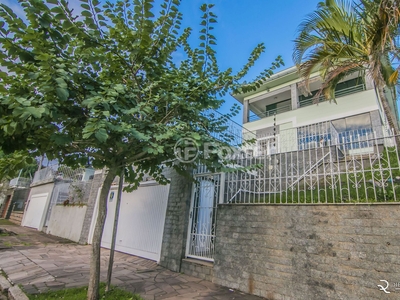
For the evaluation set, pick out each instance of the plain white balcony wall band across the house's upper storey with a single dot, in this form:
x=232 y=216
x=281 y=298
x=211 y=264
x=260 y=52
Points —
x=346 y=106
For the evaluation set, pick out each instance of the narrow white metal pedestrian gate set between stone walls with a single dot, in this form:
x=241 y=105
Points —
x=203 y=212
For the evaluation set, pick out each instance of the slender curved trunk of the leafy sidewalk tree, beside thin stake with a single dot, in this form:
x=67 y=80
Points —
x=94 y=280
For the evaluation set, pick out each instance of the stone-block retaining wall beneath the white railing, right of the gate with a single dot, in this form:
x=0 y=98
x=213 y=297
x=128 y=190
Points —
x=309 y=252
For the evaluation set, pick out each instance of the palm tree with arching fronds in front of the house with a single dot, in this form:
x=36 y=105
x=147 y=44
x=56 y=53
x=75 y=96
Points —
x=340 y=38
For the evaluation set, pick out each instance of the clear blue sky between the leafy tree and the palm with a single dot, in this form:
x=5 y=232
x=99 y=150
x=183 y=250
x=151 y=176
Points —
x=243 y=24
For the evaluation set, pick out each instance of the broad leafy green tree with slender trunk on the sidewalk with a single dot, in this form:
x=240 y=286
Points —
x=105 y=85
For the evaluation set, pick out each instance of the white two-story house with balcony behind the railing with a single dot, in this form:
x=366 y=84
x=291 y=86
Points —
x=286 y=116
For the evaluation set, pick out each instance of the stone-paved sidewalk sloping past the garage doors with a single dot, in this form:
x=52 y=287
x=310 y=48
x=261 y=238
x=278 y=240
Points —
x=55 y=264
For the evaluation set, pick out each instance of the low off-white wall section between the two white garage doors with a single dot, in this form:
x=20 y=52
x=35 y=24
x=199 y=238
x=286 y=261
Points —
x=67 y=221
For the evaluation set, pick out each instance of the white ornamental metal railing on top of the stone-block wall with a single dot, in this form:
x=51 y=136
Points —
x=360 y=167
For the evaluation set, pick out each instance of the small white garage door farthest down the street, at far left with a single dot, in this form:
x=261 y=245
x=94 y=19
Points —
x=35 y=210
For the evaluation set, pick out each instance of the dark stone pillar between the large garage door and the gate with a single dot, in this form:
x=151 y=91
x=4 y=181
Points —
x=176 y=222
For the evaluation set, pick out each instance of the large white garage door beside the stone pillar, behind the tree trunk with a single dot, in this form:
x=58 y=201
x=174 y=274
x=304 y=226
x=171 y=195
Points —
x=141 y=220
